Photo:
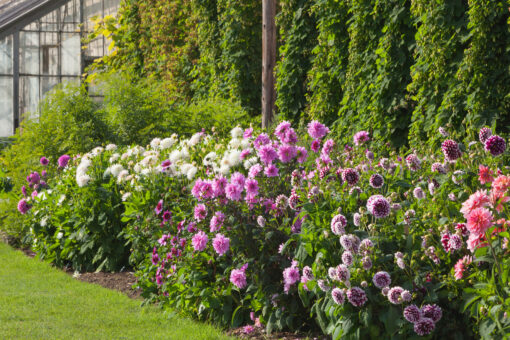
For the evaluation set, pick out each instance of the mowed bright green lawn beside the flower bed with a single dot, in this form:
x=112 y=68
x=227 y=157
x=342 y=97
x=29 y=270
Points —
x=41 y=302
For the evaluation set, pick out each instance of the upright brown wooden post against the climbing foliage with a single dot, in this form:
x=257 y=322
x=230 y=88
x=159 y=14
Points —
x=268 y=60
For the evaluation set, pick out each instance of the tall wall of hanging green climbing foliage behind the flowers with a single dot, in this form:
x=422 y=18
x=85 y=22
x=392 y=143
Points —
x=399 y=68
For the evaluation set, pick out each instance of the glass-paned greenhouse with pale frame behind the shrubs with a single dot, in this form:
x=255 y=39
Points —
x=41 y=45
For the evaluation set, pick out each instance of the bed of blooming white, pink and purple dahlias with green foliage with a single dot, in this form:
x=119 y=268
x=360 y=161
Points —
x=291 y=230
